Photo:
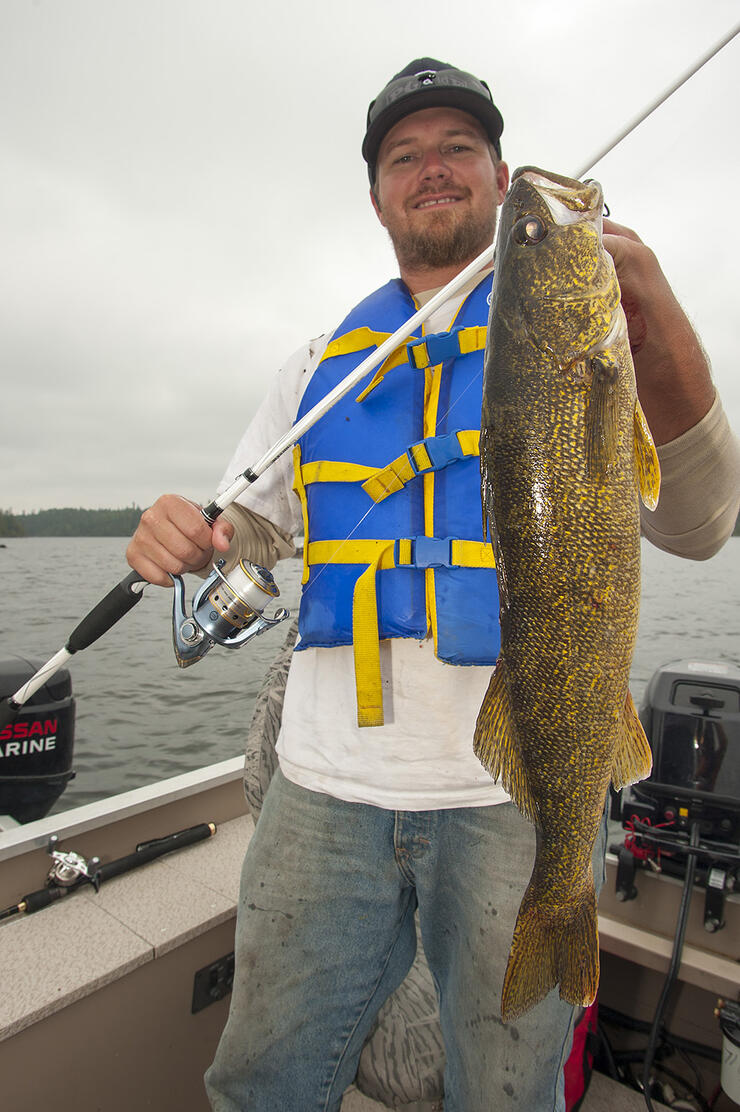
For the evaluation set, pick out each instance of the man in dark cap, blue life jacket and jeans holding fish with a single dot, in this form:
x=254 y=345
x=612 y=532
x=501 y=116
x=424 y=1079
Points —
x=380 y=807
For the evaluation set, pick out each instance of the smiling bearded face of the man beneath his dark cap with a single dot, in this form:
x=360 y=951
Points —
x=438 y=188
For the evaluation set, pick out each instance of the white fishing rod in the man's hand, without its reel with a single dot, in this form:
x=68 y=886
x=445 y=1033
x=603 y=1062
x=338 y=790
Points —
x=127 y=593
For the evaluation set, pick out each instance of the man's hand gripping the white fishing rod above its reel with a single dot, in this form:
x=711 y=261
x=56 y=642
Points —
x=173 y=537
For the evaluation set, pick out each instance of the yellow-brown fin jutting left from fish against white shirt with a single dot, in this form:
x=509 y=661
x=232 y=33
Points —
x=495 y=744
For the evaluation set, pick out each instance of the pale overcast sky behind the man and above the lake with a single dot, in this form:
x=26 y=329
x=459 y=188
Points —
x=183 y=201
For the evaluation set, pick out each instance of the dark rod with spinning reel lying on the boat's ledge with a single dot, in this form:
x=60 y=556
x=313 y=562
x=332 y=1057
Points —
x=72 y=871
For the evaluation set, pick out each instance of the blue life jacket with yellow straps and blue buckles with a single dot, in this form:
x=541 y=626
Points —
x=390 y=488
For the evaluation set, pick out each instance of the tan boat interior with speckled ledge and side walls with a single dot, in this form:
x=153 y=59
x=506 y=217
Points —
x=114 y=972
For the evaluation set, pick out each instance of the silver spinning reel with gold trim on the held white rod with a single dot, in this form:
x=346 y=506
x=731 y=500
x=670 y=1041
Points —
x=228 y=610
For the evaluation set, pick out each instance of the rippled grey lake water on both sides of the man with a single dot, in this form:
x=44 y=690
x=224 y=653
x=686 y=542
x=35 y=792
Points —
x=142 y=719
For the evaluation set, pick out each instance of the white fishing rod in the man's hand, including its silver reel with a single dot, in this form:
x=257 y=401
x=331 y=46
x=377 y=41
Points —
x=229 y=610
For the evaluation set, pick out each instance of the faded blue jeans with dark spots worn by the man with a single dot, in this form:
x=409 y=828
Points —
x=325 y=934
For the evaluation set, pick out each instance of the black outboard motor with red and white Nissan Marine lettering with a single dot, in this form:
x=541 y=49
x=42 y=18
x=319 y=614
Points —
x=37 y=748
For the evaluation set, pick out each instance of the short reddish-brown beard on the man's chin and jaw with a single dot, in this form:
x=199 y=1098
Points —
x=445 y=242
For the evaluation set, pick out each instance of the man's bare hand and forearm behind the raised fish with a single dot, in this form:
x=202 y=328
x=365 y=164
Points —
x=673 y=372
